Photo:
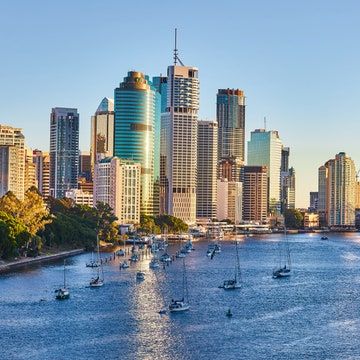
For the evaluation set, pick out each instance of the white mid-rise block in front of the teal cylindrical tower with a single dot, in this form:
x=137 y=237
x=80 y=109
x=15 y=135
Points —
x=117 y=183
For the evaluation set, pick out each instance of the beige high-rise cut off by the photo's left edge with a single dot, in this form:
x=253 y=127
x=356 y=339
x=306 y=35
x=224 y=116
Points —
x=12 y=161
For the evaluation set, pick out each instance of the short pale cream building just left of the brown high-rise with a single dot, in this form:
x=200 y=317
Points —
x=229 y=201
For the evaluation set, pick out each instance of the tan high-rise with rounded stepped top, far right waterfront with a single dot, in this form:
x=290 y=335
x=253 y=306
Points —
x=338 y=183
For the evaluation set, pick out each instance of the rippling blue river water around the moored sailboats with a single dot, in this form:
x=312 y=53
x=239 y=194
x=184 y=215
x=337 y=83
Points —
x=313 y=314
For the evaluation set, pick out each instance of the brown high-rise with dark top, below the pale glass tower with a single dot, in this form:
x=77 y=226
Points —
x=255 y=193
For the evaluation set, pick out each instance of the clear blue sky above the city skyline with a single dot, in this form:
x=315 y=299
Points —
x=297 y=62
